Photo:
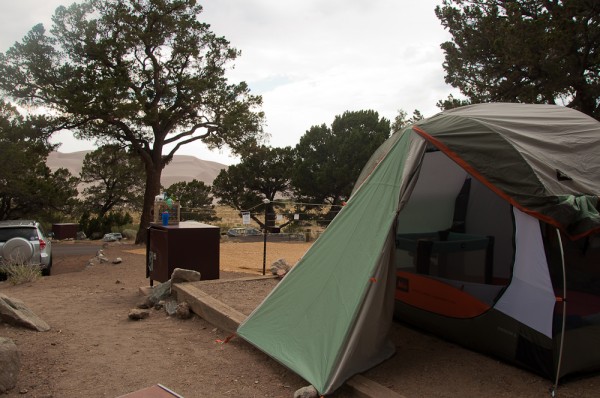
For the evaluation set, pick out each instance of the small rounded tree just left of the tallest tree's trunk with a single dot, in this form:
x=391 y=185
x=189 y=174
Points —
x=115 y=178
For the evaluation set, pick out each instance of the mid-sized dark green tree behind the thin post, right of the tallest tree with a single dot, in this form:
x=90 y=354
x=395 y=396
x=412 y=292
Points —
x=262 y=174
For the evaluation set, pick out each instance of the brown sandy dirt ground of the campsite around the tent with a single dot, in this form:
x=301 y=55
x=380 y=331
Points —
x=94 y=350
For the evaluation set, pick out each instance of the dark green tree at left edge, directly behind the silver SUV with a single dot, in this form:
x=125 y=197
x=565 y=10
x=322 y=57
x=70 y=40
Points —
x=28 y=188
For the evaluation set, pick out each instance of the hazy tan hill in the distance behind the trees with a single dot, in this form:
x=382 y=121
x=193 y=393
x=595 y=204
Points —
x=182 y=168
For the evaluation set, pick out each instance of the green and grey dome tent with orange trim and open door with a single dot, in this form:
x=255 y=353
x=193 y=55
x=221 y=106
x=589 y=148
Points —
x=476 y=223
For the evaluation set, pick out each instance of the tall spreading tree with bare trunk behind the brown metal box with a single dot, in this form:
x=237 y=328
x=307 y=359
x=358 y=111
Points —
x=143 y=73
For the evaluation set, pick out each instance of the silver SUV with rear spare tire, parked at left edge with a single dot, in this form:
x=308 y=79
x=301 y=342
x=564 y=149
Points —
x=25 y=241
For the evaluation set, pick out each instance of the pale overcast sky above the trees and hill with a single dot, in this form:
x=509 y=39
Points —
x=309 y=59
